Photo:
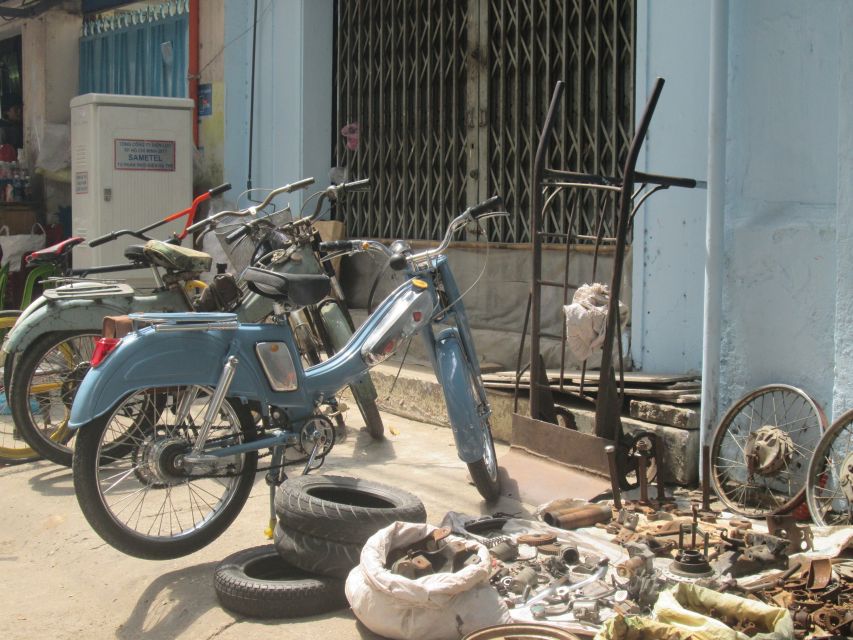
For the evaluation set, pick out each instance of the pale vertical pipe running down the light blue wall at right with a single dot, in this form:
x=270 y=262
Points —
x=715 y=223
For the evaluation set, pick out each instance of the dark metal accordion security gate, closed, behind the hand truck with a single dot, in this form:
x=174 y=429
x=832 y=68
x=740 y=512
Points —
x=446 y=101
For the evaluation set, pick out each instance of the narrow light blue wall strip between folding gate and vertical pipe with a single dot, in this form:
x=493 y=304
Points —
x=669 y=233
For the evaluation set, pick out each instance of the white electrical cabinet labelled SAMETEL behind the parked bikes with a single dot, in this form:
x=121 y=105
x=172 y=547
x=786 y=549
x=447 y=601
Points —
x=131 y=165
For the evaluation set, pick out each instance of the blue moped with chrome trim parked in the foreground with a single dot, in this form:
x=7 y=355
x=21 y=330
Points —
x=167 y=450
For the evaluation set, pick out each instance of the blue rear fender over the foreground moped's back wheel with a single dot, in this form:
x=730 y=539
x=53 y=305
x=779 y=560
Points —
x=150 y=359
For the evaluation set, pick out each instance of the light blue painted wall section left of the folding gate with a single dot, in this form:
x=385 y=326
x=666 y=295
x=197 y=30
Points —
x=293 y=93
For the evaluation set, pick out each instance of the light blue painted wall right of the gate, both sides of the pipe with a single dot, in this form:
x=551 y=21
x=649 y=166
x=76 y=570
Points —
x=788 y=246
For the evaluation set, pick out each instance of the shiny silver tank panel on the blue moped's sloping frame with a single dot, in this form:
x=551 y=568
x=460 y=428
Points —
x=408 y=314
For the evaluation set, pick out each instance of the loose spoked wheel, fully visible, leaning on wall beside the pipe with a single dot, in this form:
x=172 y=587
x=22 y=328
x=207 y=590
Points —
x=761 y=449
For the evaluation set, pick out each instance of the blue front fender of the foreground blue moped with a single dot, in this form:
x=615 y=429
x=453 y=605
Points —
x=455 y=375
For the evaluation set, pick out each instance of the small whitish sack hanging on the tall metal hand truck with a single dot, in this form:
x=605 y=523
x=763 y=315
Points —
x=586 y=317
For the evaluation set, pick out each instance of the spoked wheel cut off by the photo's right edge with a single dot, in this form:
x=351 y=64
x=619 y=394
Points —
x=829 y=489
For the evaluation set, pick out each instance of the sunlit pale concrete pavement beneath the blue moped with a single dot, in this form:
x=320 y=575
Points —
x=62 y=581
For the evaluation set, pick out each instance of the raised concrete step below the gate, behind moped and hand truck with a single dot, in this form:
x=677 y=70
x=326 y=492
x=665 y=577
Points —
x=413 y=392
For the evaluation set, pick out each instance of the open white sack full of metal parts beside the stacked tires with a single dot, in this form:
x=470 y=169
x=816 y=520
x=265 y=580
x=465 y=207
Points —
x=442 y=606
